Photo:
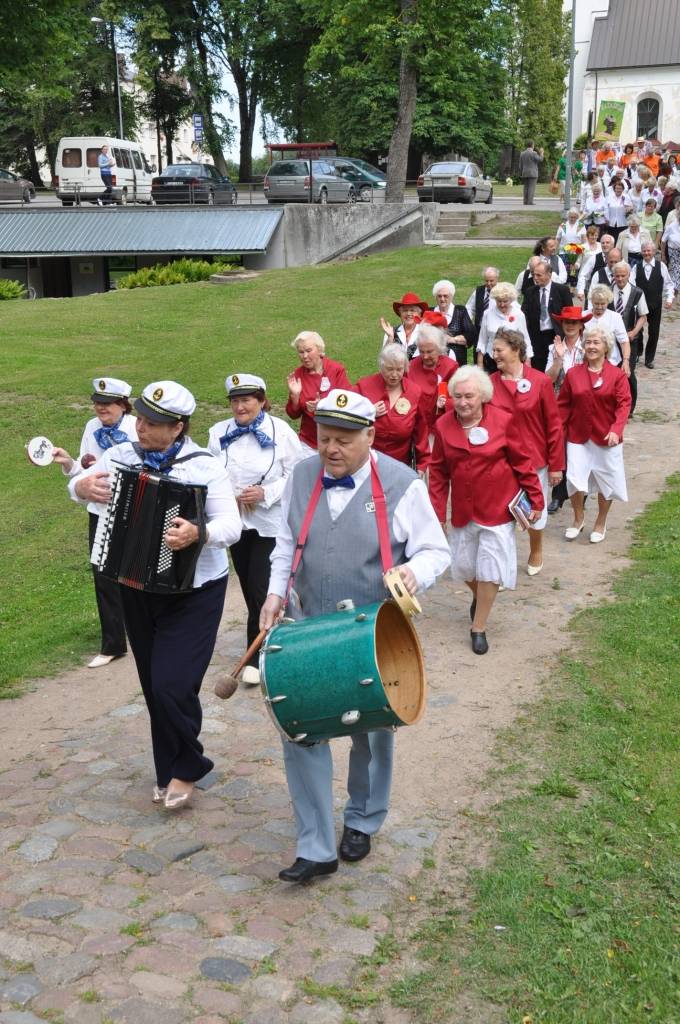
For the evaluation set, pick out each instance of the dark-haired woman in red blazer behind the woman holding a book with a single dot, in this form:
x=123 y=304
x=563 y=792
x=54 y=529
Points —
x=529 y=396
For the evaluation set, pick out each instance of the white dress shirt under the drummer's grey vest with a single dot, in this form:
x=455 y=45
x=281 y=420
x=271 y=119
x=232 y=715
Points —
x=414 y=523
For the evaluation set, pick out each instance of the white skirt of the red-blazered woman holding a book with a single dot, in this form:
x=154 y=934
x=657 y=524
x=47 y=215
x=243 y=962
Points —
x=488 y=554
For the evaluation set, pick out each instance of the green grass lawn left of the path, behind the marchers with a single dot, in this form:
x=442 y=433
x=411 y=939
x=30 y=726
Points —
x=196 y=334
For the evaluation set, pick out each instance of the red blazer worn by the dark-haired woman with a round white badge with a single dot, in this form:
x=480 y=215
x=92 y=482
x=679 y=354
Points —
x=537 y=417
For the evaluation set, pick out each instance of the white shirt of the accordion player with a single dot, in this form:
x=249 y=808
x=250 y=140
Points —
x=222 y=513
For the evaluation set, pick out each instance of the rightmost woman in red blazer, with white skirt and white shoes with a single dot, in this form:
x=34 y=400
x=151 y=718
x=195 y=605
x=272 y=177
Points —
x=596 y=403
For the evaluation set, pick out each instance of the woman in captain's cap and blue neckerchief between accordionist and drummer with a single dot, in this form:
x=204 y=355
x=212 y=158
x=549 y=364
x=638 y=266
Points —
x=260 y=452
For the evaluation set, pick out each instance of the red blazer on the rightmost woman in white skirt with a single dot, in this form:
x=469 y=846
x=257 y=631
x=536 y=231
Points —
x=589 y=413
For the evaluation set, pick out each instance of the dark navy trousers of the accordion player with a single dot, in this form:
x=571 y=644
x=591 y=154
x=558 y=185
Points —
x=173 y=638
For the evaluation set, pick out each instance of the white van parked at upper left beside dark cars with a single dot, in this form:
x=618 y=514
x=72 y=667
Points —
x=77 y=177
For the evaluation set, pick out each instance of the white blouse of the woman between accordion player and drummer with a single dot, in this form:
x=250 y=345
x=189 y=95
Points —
x=247 y=463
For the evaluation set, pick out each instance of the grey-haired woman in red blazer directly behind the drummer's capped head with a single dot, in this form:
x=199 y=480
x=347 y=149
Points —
x=401 y=428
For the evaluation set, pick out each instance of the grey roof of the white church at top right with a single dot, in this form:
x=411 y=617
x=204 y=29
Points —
x=636 y=35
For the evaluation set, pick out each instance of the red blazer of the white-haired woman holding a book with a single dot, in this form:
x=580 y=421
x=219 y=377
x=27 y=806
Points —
x=483 y=479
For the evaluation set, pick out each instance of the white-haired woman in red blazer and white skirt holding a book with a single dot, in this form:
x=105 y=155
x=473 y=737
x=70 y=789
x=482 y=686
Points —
x=481 y=459
